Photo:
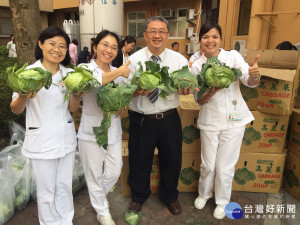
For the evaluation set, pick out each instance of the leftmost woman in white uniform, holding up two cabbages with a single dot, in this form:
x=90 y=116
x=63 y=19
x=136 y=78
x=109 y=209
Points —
x=50 y=139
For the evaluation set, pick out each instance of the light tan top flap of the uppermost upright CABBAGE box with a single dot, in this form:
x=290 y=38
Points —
x=280 y=74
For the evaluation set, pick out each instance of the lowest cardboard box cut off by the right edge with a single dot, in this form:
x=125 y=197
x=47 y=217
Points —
x=292 y=176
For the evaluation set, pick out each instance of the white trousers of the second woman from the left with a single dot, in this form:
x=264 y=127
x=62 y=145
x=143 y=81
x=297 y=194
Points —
x=102 y=169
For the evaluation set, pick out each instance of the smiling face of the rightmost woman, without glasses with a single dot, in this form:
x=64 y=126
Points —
x=210 y=43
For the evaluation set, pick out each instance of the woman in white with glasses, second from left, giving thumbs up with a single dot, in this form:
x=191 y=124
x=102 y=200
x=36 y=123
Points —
x=102 y=167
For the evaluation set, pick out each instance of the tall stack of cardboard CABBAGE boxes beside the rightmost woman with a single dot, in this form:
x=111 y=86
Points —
x=262 y=160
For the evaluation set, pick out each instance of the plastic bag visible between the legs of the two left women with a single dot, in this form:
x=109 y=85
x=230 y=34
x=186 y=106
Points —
x=78 y=175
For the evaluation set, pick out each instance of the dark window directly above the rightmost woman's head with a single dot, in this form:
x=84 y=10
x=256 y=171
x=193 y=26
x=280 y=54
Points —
x=210 y=11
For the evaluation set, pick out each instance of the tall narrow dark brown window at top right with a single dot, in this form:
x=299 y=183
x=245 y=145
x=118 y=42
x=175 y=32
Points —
x=244 y=17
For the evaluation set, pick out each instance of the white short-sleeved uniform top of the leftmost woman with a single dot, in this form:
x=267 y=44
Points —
x=50 y=130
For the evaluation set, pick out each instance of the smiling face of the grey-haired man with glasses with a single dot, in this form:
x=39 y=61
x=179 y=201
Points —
x=156 y=36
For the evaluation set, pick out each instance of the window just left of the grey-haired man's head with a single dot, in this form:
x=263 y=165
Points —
x=135 y=23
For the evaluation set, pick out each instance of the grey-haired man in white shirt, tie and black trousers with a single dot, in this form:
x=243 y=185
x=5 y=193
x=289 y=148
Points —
x=155 y=124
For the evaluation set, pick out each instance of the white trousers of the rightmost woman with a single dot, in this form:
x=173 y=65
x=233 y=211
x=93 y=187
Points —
x=220 y=152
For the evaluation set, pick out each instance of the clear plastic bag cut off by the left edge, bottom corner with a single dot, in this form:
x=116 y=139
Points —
x=7 y=193
